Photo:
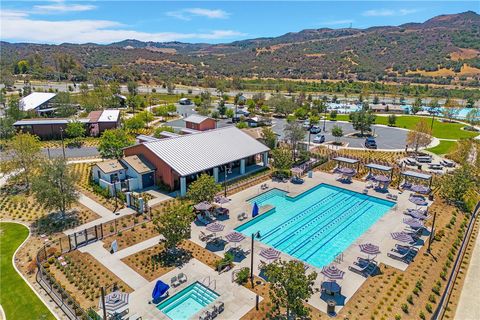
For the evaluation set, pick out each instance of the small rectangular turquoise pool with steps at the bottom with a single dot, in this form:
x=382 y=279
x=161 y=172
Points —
x=187 y=302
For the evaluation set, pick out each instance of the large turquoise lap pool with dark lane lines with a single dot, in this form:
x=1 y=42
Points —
x=316 y=225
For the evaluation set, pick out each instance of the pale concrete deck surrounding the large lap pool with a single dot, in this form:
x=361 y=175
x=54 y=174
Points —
x=378 y=234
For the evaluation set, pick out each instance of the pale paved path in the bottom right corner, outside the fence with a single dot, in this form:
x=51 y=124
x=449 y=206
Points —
x=468 y=305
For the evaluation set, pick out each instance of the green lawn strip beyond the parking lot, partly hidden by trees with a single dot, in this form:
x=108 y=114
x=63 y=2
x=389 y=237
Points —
x=442 y=130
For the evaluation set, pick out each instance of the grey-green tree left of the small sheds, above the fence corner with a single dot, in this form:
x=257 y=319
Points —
x=54 y=187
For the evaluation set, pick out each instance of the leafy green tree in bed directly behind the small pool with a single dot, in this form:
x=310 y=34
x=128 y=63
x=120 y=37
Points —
x=175 y=225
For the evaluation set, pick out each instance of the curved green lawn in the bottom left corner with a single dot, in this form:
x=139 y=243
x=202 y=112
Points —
x=17 y=299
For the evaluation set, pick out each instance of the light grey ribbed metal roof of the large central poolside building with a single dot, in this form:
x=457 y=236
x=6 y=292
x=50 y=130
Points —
x=189 y=154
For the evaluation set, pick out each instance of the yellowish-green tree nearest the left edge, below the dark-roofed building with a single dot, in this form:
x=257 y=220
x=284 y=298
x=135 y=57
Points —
x=23 y=152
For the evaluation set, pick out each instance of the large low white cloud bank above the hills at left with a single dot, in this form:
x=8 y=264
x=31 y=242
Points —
x=18 y=26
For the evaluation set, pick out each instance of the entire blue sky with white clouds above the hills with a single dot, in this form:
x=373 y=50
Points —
x=103 y=22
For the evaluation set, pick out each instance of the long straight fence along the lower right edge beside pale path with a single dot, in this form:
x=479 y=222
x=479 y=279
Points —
x=443 y=303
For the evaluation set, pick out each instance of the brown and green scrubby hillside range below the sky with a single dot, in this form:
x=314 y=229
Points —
x=440 y=50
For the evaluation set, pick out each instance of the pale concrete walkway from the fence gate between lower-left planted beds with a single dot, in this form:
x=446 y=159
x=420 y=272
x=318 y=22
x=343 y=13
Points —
x=113 y=263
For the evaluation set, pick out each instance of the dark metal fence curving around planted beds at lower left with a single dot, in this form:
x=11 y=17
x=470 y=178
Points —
x=69 y=243
